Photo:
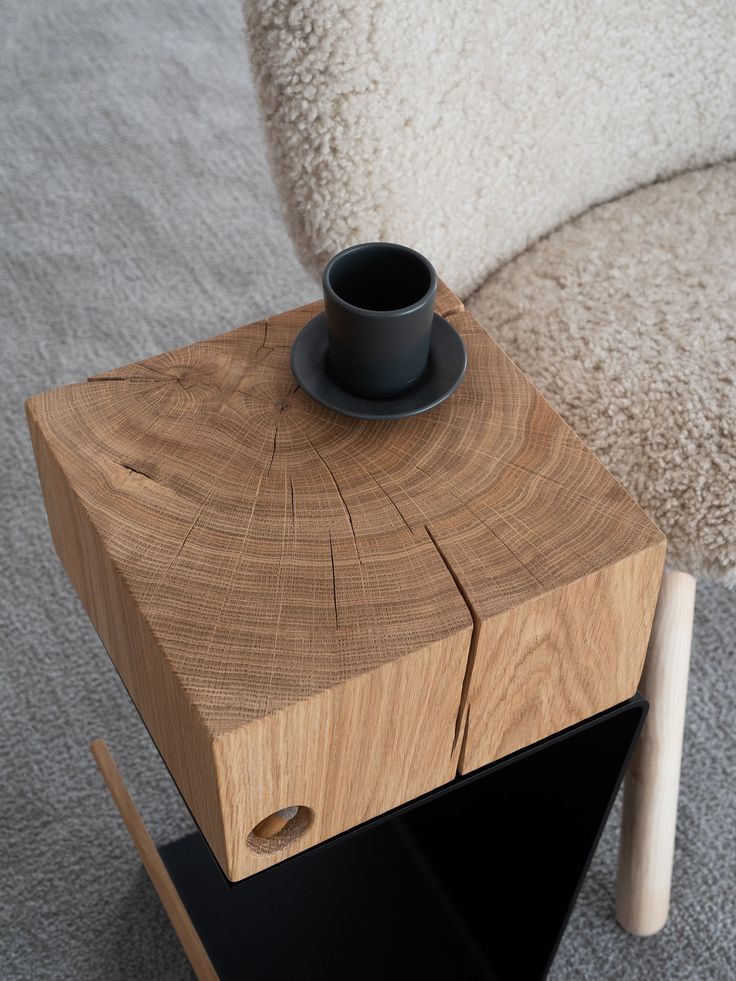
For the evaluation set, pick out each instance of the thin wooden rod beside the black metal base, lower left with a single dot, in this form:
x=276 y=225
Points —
x=153 y=863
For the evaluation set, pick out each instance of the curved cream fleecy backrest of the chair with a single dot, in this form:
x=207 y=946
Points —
x=469 y=128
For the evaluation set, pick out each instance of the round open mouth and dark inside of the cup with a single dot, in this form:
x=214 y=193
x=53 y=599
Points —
x=380 y=277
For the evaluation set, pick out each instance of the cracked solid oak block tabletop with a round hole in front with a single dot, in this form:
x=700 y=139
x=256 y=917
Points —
x=335 y=613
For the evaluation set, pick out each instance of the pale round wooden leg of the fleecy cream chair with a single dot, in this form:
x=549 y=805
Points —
x=652 y=782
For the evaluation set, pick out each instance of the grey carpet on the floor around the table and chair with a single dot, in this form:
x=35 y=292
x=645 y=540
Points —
x=138 y=213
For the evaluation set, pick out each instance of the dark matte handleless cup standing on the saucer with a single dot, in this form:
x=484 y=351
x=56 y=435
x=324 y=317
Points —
x=379 y=306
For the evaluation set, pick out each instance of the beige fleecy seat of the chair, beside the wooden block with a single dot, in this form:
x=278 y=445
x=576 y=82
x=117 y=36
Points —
x=626 y=320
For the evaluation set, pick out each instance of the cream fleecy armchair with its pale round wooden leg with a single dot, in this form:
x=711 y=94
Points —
x=565 y=166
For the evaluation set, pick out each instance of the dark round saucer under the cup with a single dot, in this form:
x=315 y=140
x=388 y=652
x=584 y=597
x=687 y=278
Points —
x=445 y=370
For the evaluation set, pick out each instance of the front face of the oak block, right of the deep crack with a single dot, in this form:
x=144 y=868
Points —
x=569 y=653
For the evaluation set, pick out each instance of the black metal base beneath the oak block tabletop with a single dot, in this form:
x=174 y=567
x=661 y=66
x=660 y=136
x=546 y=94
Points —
x=475 y=880
